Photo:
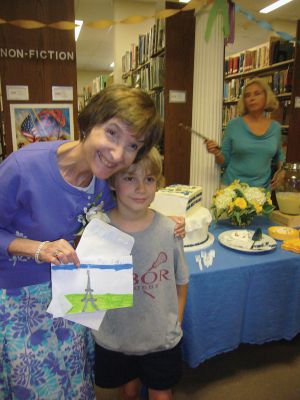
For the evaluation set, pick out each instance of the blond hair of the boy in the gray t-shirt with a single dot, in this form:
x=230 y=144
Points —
x=151 y=162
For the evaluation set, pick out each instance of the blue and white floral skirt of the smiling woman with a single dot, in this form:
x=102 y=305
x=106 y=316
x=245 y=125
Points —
x=41 y=357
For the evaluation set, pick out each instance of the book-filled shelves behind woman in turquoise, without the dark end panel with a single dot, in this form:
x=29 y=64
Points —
x=272 y=61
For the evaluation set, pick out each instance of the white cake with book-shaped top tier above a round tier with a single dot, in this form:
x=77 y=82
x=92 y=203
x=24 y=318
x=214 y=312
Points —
x=185 y=201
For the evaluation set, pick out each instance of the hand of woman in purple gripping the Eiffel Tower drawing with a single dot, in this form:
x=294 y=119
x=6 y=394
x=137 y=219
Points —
x=58 y=252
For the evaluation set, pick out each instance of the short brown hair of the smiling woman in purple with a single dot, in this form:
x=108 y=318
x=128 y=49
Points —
x=132 y=106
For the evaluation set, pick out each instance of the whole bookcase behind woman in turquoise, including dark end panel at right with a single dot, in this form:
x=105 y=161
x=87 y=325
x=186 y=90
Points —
x=278 y=62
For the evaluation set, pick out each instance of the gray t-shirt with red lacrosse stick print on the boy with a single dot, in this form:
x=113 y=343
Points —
x=152 y=323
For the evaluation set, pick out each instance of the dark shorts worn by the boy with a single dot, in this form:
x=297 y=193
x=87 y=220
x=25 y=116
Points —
x=159 y=371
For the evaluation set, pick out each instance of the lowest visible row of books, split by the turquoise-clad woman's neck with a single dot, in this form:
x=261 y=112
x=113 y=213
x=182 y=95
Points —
x=281 y=115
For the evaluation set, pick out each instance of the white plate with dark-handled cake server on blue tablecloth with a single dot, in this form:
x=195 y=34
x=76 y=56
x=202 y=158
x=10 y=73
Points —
x=241 y=239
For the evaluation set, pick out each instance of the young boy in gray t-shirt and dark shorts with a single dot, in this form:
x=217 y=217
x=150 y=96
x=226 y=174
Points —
x=141 y=345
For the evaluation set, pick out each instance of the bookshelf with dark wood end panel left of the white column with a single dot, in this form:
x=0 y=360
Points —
x=162 y=63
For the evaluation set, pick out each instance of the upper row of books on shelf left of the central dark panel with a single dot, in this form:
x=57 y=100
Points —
x=148 y=46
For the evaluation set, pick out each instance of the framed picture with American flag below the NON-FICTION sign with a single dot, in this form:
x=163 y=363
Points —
x=40 y=122
